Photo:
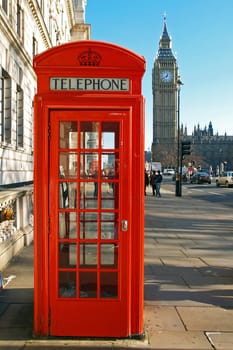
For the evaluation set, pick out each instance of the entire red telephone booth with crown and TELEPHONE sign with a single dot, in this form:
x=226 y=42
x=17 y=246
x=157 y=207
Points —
x=89 y=191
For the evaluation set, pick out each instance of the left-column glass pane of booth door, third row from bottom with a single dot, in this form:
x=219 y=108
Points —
x=67 y=225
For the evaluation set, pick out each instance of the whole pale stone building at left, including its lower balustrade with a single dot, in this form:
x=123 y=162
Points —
x=28 y=27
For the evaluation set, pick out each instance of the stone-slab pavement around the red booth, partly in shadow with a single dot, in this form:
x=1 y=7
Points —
x=188 y=283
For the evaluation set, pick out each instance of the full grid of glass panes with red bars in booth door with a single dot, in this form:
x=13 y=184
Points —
x=88 y=210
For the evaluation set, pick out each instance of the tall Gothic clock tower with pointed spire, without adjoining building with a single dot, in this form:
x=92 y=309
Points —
x=164 y=85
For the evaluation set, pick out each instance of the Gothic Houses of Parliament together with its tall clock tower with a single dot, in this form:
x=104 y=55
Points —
x=208 y=149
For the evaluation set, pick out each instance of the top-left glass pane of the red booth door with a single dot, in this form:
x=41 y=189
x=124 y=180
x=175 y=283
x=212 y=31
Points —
x=68 y=135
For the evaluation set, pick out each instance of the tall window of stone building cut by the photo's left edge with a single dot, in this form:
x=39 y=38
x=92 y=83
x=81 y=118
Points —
x=5 y=120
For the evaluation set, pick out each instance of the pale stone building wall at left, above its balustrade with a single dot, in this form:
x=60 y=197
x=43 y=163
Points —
x=28 y=27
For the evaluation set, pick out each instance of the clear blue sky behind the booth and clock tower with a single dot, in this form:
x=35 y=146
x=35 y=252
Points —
x=202 y=41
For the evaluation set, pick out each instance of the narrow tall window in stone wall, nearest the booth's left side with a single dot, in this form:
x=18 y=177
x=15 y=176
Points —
x=19 y=117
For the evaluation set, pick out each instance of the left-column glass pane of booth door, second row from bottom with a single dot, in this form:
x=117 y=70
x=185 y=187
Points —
x=67 y=254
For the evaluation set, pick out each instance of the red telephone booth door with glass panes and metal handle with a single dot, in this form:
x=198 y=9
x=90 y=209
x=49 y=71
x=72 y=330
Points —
x=89 y=240
